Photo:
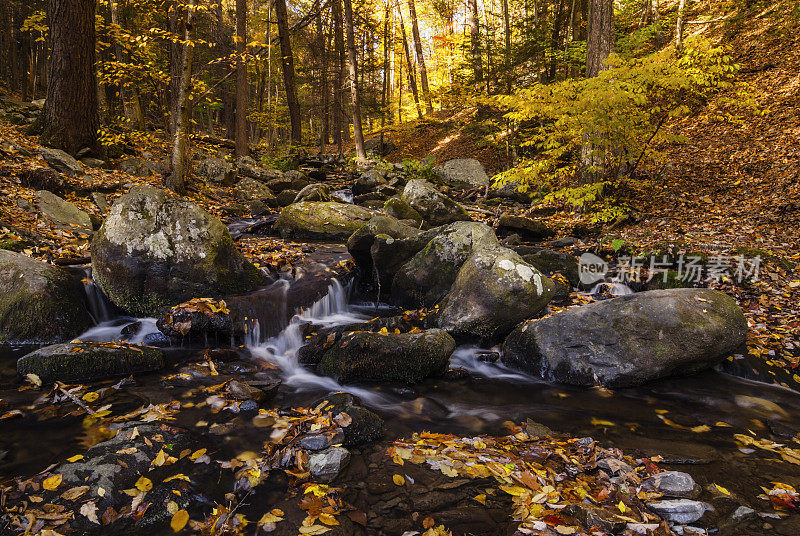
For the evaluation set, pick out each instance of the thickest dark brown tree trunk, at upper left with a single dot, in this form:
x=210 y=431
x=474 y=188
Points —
x=70 y=119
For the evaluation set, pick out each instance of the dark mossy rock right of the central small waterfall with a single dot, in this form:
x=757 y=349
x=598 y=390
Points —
x=403 y=357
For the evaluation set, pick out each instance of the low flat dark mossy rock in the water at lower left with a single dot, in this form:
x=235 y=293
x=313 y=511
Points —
x=82 y=362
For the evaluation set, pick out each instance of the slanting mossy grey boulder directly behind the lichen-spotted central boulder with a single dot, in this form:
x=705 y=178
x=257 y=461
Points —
x=426 y=278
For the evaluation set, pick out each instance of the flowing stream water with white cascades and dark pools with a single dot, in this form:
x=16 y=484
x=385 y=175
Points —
x=476 y=398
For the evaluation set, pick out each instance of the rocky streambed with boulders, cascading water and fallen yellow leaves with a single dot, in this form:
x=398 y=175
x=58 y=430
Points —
x=416 y=372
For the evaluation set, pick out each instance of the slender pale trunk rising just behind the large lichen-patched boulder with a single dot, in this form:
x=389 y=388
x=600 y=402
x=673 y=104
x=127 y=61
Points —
x=176 y=180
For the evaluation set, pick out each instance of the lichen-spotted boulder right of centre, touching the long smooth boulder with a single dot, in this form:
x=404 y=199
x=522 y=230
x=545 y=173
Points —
x=494 y=291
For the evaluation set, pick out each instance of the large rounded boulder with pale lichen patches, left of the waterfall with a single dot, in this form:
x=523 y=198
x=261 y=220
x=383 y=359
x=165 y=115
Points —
x=155 y=250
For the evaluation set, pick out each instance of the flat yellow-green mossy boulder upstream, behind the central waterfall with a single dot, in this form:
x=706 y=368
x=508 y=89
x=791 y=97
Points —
x=321 y=220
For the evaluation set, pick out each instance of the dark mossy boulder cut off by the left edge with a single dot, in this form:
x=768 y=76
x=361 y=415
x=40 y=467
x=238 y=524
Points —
x=39 y=302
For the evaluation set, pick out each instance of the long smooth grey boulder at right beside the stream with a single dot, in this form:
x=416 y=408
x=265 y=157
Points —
x=630 y=340
